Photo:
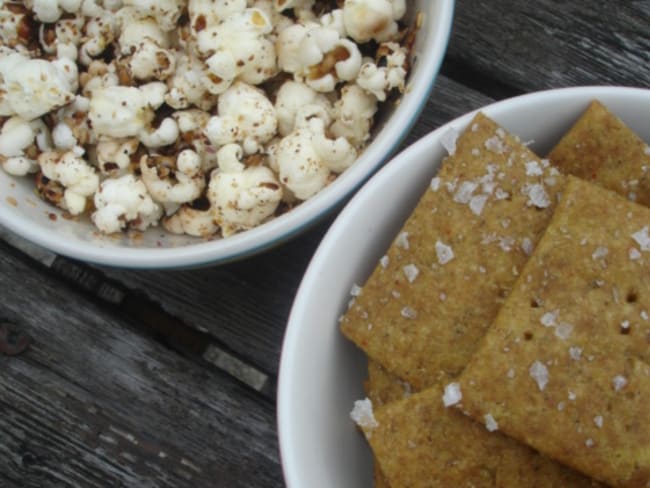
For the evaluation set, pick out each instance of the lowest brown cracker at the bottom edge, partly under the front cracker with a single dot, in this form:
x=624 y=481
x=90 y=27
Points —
x=419 y=443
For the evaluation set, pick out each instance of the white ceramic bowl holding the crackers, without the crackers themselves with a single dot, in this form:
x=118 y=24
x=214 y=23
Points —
x=321 y=373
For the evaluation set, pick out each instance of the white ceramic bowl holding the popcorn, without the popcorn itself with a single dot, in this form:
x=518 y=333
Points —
x=26 y=215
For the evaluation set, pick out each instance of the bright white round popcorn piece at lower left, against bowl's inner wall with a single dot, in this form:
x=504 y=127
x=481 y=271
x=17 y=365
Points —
x=124 y=203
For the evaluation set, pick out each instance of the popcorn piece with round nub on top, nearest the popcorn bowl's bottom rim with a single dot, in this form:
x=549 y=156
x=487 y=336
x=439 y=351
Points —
x=242 y=197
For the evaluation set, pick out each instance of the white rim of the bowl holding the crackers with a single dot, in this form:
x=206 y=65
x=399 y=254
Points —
x=299 y=313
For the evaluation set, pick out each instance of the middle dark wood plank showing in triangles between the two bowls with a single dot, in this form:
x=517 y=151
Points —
x=246 y=304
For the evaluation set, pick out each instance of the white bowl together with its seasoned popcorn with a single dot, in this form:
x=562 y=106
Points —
x=121 y=193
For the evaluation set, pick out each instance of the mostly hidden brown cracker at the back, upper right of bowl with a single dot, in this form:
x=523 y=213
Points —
x=600 y=147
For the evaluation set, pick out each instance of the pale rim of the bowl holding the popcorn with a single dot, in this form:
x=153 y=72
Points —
x=281 y=228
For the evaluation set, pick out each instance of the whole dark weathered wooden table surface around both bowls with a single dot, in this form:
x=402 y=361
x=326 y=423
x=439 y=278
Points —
x=152 y=378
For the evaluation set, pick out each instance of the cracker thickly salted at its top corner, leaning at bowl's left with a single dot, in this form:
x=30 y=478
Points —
x=429 y=301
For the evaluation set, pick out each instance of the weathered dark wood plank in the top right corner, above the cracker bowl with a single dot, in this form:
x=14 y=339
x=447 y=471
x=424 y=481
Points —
x=524 y=46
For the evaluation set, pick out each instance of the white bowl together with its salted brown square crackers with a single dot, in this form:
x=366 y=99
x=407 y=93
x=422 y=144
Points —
x=483 y=297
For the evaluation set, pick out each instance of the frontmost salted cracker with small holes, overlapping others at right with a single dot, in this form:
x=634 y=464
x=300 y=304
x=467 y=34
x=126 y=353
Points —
x=565 y=366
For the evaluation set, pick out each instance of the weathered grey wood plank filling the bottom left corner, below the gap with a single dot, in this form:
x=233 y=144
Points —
x=93 y=403
